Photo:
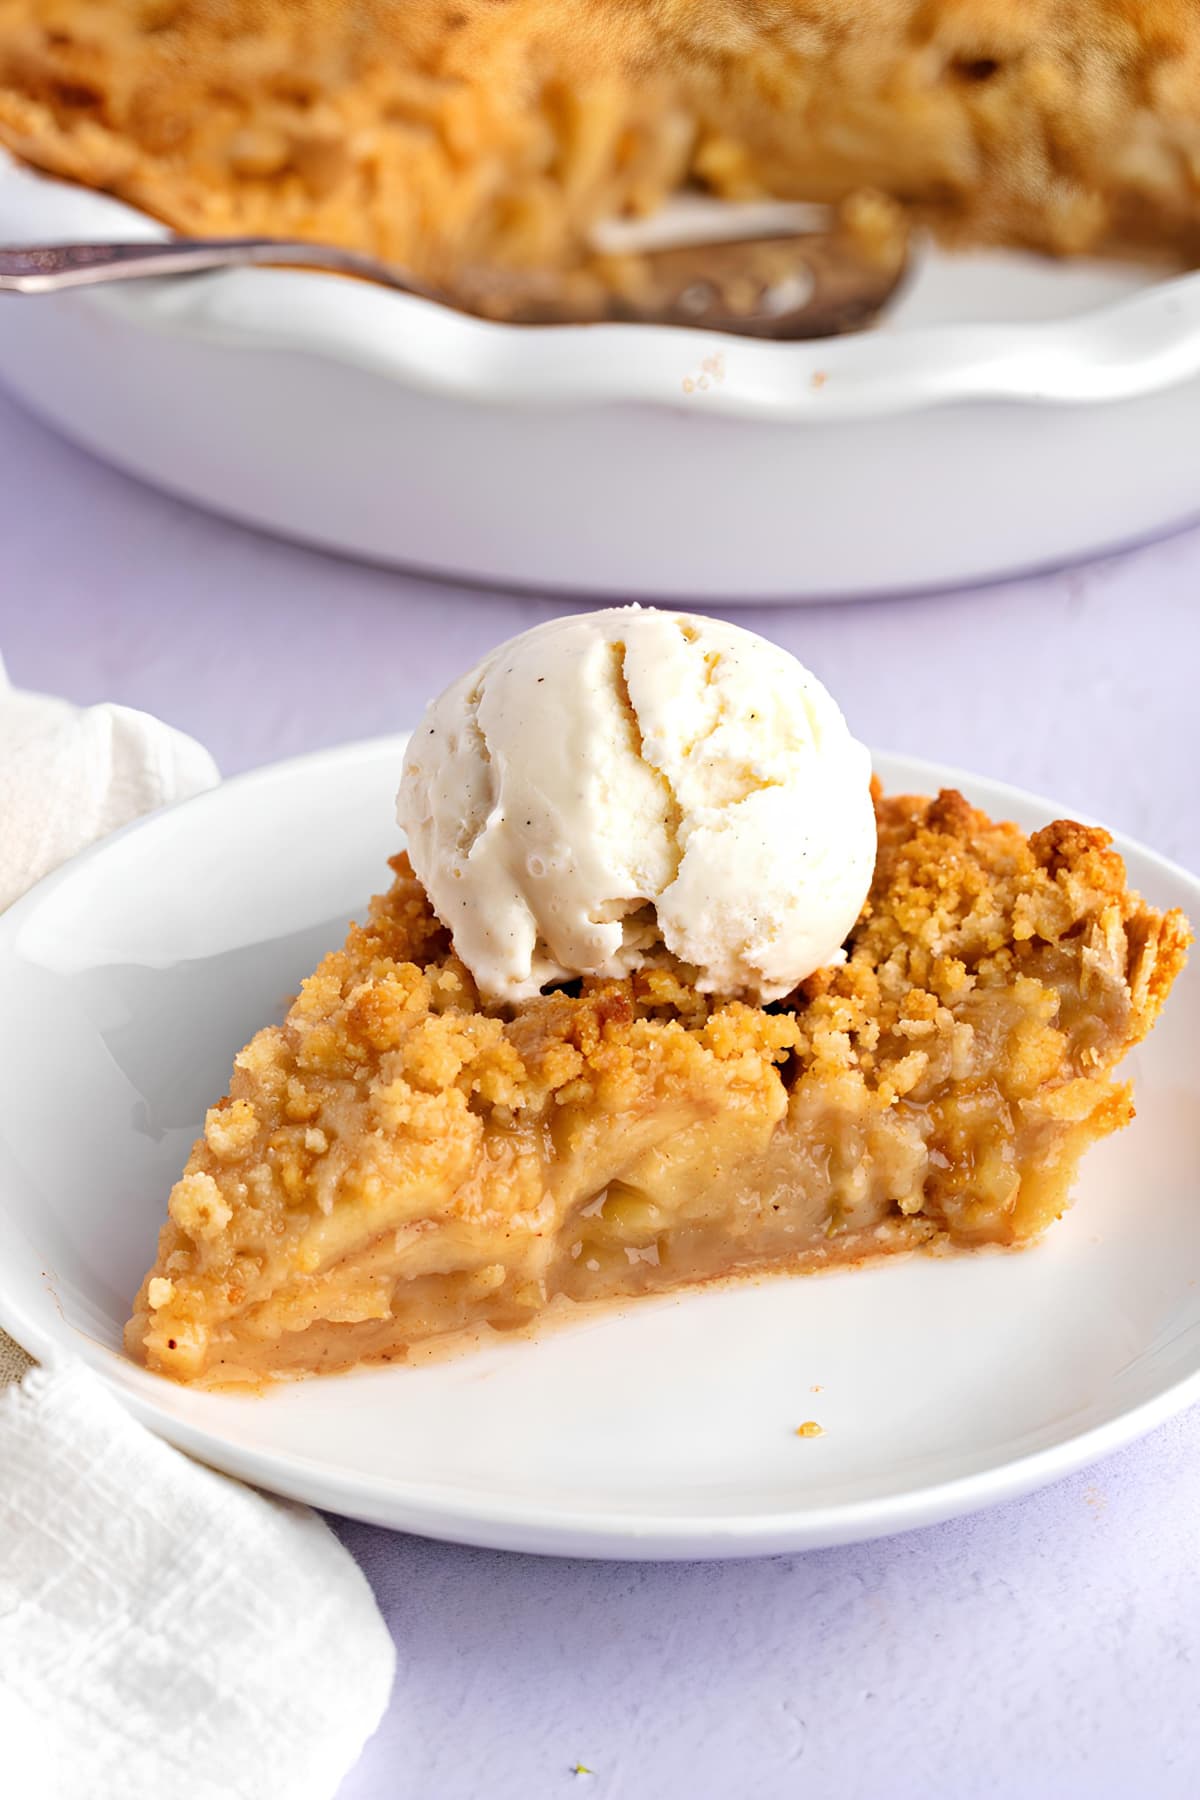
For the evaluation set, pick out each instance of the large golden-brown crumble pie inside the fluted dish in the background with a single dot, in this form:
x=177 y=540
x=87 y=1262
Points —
x=452 y=134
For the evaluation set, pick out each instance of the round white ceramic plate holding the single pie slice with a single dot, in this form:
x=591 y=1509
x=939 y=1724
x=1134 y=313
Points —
x=667 y=1430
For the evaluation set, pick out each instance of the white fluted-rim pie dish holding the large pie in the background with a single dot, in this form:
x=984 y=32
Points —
x=1010 y=415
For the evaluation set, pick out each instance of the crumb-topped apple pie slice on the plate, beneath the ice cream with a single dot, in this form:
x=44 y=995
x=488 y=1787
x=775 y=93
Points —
x=399 y=1162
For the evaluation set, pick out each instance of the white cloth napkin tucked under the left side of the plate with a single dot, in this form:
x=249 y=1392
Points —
x=163 y=1628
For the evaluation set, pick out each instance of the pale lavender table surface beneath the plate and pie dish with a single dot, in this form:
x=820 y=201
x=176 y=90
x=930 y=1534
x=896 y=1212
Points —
x=1048 y=1650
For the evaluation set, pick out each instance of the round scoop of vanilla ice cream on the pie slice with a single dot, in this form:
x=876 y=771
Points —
x=629 y=778
